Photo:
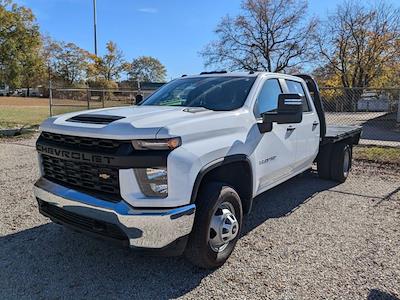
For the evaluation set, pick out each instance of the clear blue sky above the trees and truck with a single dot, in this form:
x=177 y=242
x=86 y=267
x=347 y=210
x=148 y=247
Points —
x=174 y=31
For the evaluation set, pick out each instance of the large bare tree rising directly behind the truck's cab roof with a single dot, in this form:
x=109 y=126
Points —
x=269 y=35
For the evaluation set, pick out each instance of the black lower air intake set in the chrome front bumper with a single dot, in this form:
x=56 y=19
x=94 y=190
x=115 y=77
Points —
x=81 y=222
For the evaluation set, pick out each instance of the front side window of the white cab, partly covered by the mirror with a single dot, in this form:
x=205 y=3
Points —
x=267 y=99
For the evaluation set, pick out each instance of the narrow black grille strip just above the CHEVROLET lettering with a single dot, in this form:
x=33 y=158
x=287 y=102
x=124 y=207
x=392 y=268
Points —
x=78 y=142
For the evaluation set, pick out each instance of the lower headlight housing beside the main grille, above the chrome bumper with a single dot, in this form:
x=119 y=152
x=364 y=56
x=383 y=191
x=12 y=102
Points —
x=153 y=181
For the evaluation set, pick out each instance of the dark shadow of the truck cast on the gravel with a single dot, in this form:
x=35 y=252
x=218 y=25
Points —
x=49 y=261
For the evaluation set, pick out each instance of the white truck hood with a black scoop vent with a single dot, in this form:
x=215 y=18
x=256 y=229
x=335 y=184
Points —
x=135 y=122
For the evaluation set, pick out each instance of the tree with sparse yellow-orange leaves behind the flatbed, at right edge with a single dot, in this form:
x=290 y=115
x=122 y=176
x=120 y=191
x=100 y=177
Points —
x=357 y=42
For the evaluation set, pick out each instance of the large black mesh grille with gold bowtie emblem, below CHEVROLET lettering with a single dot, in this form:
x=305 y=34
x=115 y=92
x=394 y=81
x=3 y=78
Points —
x=85 y=176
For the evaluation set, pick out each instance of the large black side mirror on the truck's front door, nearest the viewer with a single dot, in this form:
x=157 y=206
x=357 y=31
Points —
x=290 y=110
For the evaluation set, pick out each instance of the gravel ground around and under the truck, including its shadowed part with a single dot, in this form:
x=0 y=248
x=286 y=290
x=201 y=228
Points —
x=306 y=239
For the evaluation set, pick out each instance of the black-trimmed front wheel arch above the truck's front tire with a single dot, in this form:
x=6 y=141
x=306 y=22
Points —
x=235 y=170
